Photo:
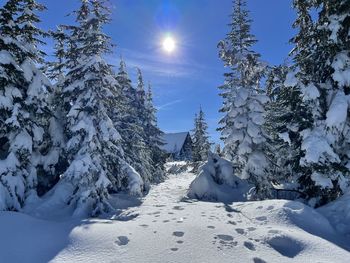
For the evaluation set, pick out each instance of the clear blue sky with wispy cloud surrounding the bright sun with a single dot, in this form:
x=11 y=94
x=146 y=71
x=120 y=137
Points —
x=190 y=76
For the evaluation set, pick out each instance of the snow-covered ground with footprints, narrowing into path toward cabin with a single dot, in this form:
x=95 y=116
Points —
x=166 y=227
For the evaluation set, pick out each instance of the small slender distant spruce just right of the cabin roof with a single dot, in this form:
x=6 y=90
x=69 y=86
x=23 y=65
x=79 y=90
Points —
x=200 y=138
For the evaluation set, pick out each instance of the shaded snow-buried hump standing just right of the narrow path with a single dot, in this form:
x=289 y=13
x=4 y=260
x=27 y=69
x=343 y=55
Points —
x=216 y=182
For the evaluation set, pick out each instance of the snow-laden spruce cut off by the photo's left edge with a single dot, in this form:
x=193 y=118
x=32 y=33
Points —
x=26 y=146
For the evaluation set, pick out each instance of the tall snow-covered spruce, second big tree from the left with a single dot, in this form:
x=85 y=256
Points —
x=93 y=148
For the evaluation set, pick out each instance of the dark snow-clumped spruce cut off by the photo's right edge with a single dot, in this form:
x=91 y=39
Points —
x=322 y=76
